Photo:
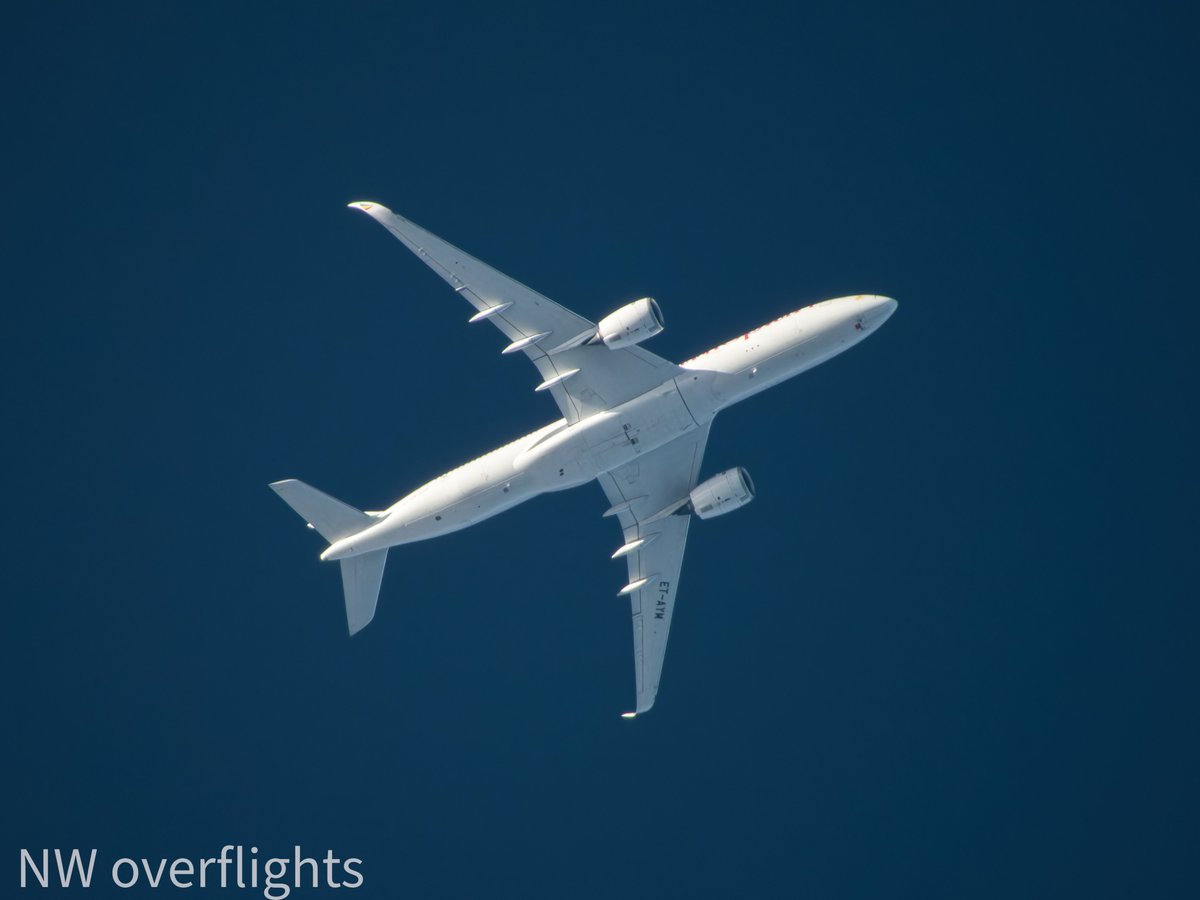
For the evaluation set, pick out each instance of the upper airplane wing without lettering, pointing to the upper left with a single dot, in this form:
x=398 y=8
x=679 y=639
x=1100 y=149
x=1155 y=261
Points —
x=584 y=380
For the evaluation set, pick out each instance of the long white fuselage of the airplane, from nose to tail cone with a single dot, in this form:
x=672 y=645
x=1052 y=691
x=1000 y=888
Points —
x=560 y=455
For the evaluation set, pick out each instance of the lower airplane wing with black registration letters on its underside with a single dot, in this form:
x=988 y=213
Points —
x=645 y=495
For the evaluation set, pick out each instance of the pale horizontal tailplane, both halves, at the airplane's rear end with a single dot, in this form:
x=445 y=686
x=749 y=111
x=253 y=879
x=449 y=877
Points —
x=334 y=520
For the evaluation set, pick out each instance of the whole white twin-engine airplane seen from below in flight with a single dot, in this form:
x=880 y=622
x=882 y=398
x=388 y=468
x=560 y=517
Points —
x=632 y=421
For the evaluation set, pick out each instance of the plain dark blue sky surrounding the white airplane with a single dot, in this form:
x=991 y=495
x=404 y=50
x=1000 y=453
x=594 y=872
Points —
x=949 y=652
